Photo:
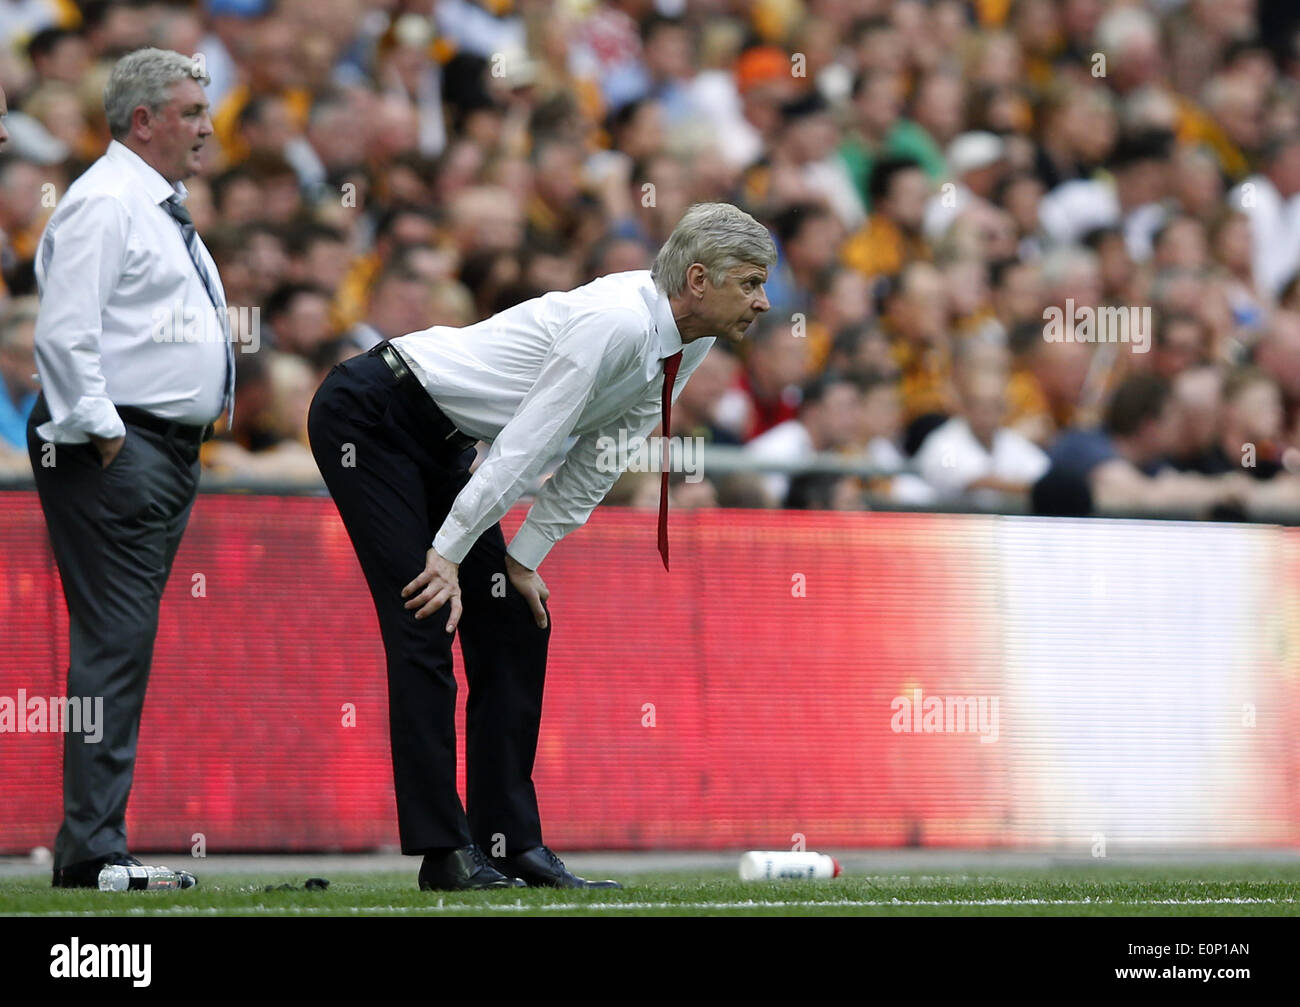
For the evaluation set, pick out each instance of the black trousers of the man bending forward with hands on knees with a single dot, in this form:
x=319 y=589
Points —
x=395 y=487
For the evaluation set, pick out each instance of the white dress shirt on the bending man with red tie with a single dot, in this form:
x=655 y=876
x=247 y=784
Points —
x=586 y=363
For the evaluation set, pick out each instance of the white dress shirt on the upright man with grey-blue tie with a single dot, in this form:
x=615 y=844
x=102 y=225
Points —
x=124 y=315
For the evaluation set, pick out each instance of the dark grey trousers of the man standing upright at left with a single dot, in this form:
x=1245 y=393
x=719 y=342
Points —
x=115 y=533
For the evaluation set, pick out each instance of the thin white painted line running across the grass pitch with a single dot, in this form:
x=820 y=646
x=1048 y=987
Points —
x=635 y=906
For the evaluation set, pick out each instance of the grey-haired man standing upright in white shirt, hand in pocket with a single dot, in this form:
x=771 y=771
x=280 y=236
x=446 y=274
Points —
x=136 y=364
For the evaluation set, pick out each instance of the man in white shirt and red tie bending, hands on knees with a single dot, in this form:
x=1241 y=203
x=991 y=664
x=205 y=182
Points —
x=393 y=433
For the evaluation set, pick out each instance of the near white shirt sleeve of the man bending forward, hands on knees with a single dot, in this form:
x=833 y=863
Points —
x=566 y=385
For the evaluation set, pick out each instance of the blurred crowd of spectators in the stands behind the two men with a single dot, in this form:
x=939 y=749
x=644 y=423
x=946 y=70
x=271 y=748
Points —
x=937 y=176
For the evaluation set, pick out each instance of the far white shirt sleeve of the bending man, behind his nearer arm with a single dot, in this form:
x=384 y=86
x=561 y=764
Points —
x=584 y=479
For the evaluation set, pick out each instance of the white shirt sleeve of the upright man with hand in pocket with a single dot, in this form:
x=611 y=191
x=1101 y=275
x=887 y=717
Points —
x=80 y=263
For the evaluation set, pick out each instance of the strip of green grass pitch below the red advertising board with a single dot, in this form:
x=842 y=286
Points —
x=1085 y=891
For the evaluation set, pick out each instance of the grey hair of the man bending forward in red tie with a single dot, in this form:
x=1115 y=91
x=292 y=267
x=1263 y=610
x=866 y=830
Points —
x=720 y=237
